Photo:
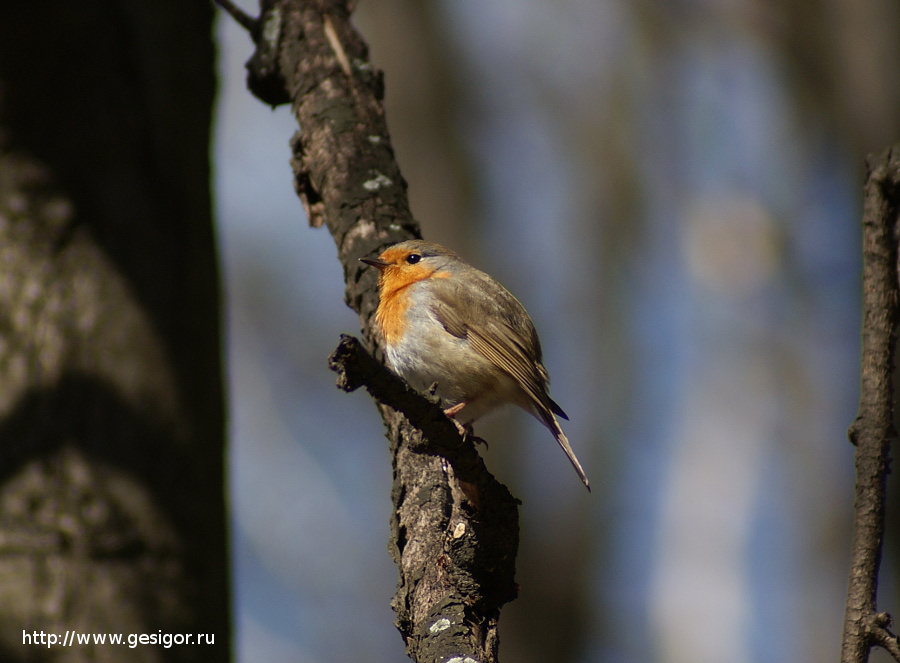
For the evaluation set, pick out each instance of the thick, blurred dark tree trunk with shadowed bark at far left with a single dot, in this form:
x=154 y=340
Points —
x=112 y=514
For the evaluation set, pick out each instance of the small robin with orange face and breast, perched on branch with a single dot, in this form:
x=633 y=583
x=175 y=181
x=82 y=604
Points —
x=446 y=323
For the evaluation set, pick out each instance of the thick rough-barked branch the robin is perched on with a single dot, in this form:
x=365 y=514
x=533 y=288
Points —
x=454 y=530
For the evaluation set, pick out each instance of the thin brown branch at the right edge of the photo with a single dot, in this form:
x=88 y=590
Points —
x=873 y=429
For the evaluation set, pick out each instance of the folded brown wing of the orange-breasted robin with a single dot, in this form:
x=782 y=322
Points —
x=498 y=328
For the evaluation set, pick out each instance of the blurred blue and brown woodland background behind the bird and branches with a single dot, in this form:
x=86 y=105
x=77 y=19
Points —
x=673 y=191
